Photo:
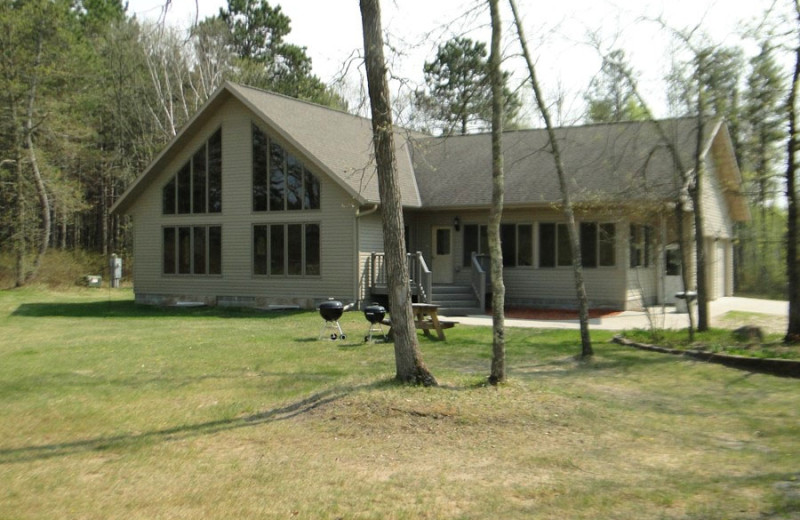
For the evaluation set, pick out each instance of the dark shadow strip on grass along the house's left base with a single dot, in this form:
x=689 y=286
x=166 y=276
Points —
x=130 y=309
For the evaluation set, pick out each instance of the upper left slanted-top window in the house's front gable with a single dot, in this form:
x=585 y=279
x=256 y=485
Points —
x=197 y=186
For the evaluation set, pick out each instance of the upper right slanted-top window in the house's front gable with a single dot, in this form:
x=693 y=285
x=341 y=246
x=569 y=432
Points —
x=280 y=181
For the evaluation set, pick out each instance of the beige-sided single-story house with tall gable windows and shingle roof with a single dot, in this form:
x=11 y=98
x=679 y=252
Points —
x=266 y=200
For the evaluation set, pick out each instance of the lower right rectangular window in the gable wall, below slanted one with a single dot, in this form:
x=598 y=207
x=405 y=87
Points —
x=286 y=249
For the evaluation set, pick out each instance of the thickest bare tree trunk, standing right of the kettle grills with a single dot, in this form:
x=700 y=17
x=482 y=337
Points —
x=408 y=359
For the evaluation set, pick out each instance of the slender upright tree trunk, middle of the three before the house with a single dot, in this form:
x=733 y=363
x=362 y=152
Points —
x=498 y=369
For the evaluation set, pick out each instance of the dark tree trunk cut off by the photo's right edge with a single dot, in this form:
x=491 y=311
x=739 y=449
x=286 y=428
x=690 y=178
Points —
x=793 y=234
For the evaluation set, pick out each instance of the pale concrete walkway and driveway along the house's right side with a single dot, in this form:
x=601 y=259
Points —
x=774 y=317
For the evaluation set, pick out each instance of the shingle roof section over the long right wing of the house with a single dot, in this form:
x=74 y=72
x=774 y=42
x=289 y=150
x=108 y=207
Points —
x=604 y=162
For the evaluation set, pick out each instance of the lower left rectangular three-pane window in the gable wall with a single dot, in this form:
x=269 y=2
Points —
x=192 y=250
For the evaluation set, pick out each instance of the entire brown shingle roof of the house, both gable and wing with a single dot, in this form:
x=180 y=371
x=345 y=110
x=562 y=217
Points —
x=605 y=163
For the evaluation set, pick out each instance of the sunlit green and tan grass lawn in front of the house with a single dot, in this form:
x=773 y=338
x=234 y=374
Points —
x=112 y=410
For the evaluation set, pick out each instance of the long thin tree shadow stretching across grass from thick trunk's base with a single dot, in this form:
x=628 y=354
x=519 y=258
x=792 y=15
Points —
x=47 y=451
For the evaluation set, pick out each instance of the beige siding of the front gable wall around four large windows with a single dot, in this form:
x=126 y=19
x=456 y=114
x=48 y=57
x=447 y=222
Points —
x=237 y=283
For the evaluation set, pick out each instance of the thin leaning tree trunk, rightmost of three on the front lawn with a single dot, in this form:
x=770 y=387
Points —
x=574 y=238
